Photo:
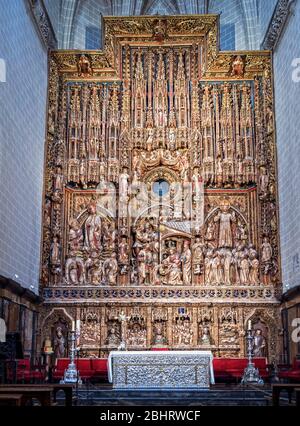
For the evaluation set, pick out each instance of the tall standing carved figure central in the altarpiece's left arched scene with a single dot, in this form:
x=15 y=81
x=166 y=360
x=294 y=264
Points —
x=92 y=228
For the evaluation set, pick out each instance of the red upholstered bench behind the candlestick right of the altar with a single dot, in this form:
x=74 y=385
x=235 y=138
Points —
x=233 y=368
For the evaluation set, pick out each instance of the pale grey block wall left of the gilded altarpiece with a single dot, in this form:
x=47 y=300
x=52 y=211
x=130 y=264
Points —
x=22 y=134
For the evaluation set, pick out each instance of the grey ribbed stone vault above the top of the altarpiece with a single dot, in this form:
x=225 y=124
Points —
x=74 y=14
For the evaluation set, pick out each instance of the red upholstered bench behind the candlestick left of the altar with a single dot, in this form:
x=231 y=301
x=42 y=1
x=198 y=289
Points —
x=89 y=368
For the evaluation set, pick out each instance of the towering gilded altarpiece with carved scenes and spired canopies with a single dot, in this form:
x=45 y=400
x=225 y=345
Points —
x=160 y=191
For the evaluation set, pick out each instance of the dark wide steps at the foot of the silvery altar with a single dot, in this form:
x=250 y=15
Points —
x=232 y=396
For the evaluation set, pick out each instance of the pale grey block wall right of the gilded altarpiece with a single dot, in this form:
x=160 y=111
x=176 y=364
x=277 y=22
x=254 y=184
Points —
x=287 y=109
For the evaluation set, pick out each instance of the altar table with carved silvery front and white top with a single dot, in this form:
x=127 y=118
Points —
x=160 y=369
